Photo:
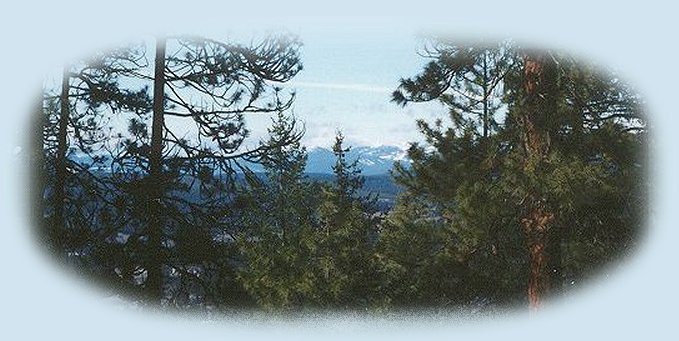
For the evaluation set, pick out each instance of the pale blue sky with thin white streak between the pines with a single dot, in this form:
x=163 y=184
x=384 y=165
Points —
x=346 y=84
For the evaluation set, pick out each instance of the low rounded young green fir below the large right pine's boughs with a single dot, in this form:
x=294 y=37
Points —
x=415 y=266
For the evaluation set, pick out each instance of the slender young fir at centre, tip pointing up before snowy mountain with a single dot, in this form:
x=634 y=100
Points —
x=347 y=237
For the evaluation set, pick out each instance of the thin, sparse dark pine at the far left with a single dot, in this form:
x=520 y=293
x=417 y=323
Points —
x=73 y=123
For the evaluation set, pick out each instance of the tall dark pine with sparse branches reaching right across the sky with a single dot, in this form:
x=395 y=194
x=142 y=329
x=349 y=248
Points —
x=213 y=85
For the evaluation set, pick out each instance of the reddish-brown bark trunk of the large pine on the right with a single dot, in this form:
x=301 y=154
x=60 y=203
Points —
x=539 y=103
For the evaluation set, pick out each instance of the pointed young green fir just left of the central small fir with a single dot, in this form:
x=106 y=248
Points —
x=278 y=222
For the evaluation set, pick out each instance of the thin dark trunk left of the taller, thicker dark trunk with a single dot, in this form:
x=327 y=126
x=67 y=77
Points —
x=60 y=163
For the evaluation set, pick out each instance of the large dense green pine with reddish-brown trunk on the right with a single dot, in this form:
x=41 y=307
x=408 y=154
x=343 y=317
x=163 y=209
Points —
x=531 y=181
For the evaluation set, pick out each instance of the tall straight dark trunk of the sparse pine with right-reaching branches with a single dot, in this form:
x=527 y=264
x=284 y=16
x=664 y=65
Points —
x=154 y=281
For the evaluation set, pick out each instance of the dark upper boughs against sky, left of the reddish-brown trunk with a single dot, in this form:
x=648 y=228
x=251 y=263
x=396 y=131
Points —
x=467 y=78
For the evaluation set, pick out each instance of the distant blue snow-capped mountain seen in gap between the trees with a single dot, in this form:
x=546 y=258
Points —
x=372 y=160
